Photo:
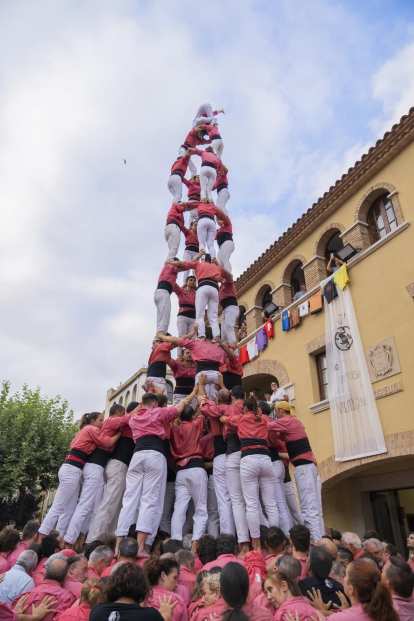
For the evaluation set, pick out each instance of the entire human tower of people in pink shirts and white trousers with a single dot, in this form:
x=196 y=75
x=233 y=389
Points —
x=213 y=446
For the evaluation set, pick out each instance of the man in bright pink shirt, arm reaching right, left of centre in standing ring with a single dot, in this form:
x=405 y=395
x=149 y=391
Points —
x=147 y=472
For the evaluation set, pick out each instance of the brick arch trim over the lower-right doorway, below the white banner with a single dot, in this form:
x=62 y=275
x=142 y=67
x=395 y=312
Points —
x=399 y=445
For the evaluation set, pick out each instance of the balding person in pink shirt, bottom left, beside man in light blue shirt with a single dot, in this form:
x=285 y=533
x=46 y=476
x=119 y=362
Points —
x=52 y=585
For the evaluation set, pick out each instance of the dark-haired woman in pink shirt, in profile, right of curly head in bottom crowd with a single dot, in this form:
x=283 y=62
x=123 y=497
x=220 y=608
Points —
x=162 y=575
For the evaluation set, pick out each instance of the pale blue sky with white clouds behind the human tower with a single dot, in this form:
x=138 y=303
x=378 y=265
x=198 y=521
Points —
x=307 y=87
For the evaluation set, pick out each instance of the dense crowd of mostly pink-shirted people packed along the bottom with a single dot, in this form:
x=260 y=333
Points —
x=288 y=579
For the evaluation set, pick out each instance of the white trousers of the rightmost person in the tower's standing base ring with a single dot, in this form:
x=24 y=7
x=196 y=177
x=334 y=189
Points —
x=306 y=478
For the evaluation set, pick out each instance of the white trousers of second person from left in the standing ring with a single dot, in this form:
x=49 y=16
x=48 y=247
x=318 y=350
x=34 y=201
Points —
x=91 y=479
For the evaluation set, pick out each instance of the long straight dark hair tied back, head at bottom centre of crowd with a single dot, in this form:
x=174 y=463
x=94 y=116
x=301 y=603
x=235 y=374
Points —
x=234 y=589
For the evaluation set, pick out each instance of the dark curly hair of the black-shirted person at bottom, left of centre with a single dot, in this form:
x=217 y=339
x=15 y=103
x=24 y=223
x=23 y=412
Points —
x=128 y=580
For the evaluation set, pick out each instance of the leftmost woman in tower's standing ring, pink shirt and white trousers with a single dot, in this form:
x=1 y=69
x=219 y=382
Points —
x=84 y=443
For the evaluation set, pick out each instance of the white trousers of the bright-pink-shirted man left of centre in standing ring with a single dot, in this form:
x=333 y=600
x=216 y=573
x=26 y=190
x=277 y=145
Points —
x=145 y=491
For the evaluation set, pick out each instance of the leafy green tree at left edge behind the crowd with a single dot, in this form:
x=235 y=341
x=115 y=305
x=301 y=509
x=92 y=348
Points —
x=35 y=433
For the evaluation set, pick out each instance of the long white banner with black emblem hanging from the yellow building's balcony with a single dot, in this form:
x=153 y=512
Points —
x=356 y=426
